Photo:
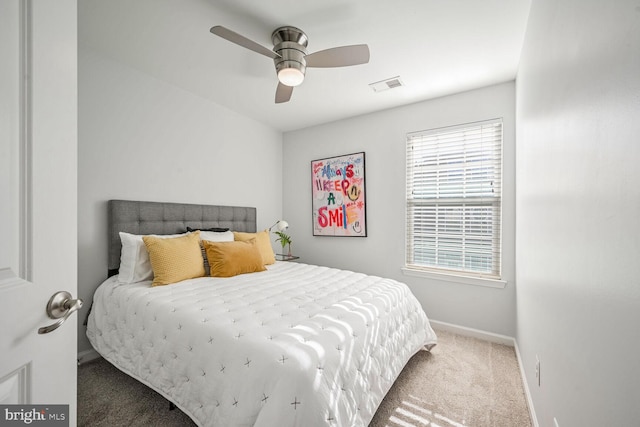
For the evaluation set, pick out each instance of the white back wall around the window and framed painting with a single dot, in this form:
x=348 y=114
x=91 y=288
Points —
x=382 y=136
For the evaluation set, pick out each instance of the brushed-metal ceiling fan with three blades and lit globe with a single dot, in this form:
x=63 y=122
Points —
x=290 y=56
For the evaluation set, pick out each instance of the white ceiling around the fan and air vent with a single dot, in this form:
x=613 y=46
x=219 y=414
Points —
x=437 y=47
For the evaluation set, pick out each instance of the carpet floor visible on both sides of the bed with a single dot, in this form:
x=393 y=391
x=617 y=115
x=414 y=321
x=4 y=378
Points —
x=462 y=382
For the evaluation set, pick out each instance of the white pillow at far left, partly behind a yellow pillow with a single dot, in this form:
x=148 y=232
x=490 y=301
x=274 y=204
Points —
x=135 y=265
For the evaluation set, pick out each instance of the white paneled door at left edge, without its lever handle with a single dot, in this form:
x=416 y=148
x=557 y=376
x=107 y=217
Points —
x=38 y=200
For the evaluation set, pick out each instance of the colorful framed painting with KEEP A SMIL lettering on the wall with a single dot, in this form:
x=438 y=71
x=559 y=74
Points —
x=339 y=196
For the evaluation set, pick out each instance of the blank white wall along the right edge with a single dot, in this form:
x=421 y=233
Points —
x=578 y=211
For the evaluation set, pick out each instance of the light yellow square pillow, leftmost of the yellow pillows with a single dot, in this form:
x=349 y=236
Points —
x=174 y=260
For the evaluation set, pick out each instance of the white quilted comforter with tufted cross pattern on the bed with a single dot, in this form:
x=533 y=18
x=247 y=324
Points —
x=297 y=345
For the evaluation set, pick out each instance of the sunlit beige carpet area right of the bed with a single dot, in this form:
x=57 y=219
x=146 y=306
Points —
x=462 y=382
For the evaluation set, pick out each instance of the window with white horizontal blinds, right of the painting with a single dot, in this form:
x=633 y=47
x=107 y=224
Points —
x=454 y=185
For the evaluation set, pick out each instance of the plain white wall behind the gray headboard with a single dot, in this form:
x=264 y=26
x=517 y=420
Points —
x=143 y=139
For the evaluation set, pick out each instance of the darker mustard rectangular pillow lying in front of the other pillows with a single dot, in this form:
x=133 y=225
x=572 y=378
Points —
x=227 y=259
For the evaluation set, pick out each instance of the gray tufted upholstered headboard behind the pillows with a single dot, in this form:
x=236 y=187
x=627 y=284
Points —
x=137 y=217
